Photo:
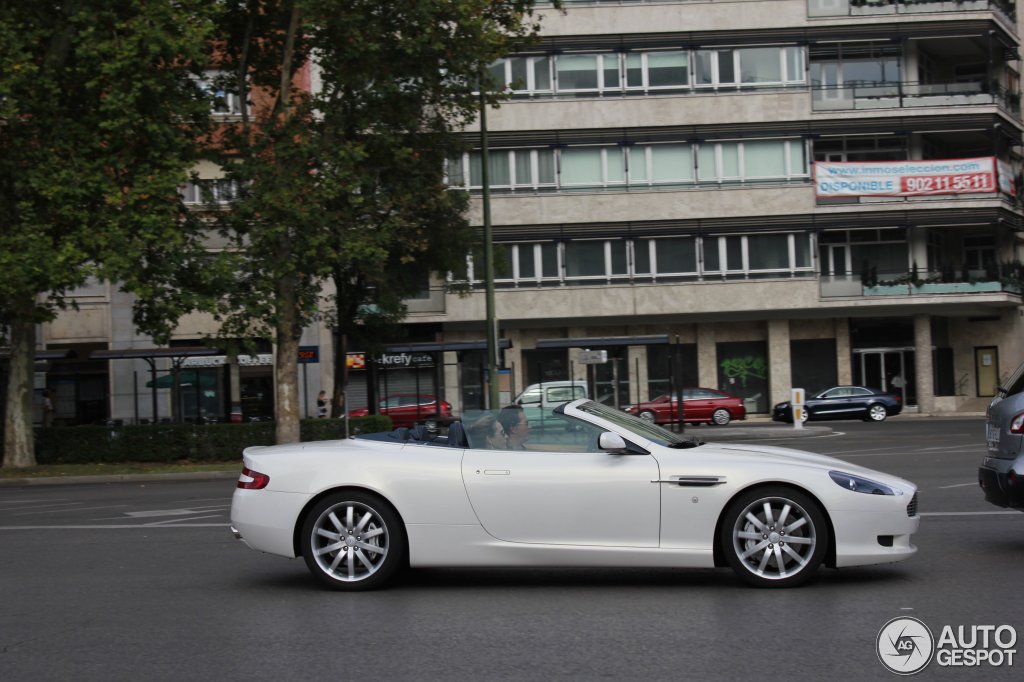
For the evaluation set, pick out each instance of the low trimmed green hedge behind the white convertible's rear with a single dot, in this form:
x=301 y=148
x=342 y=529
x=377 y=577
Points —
x=173 y=443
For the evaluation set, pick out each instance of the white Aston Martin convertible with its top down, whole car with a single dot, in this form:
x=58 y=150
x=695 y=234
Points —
x=593 y=488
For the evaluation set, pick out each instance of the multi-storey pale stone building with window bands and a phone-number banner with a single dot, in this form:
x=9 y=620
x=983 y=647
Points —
x=750 y=195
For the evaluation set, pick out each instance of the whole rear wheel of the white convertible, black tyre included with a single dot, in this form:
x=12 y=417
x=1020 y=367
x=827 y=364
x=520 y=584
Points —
x=353 y=541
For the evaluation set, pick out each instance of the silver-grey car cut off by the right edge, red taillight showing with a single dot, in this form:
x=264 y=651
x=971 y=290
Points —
x=1002 y=475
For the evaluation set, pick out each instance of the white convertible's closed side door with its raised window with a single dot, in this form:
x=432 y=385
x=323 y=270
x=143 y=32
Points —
x=563 y=491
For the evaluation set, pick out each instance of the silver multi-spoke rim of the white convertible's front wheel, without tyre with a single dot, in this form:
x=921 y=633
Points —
x=775 y=539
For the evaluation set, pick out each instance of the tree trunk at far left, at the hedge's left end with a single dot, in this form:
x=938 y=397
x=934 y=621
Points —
x=19 y=445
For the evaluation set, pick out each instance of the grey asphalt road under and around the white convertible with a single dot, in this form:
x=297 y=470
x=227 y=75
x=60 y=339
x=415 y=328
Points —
x=143 y=581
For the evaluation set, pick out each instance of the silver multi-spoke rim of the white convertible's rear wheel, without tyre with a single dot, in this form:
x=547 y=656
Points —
x=350 y=542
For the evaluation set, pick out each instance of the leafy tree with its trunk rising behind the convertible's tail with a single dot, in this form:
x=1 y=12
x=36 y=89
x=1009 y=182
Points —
x=345 y=183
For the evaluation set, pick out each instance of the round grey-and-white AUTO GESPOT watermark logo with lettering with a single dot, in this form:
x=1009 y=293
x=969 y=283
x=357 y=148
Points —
x=907 y=646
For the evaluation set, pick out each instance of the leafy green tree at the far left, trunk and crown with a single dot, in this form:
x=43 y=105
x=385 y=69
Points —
x=100 y=122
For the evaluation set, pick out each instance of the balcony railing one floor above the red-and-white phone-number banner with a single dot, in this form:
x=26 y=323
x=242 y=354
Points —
x=898 y=96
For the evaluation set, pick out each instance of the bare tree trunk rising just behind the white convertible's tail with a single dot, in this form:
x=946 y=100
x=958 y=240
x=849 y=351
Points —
x=287 y=363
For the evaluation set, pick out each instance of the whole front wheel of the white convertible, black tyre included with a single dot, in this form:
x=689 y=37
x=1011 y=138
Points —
x=775 y=537
